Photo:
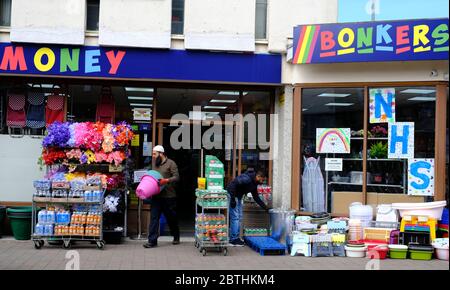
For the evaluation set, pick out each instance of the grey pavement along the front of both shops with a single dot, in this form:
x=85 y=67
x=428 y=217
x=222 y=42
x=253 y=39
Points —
x=130 y=255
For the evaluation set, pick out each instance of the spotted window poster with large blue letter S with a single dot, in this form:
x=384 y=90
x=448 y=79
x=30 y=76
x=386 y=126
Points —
x=421 y=177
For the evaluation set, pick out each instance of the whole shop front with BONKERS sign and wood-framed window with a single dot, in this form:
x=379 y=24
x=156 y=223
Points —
x=370 y=121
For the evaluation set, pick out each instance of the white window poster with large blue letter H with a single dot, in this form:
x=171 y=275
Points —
x=401 y=140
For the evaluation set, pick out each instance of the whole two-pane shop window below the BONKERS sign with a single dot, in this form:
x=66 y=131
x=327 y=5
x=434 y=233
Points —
x=387 y=171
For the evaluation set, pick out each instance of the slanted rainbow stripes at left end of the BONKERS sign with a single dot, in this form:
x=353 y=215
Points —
x=306 y=44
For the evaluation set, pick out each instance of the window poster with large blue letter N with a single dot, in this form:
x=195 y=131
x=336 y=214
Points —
x=382 y=105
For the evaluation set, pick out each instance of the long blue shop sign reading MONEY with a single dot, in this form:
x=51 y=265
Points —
x=134 y=63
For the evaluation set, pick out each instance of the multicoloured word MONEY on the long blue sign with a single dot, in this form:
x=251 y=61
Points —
x=60 y=60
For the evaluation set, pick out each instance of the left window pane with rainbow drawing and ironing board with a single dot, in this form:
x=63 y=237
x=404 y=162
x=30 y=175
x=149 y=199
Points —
x=332 y=122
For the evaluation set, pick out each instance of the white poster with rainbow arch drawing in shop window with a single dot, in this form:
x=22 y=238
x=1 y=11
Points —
x=333 y=140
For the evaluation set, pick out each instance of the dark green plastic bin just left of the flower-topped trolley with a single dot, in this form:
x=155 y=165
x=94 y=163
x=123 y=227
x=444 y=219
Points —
x=20 y=220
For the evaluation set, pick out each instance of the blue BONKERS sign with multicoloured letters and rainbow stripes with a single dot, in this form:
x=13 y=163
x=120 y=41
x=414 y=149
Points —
x=371 y=41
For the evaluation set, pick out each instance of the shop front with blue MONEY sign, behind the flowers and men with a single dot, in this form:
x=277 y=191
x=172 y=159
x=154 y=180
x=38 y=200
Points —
x=157 y=92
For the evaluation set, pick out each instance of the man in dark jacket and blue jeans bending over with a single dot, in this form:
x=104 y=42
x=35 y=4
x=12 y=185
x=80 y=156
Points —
x=237 y=188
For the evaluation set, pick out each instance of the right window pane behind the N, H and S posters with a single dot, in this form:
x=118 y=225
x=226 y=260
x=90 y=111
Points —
x=412 y=104
